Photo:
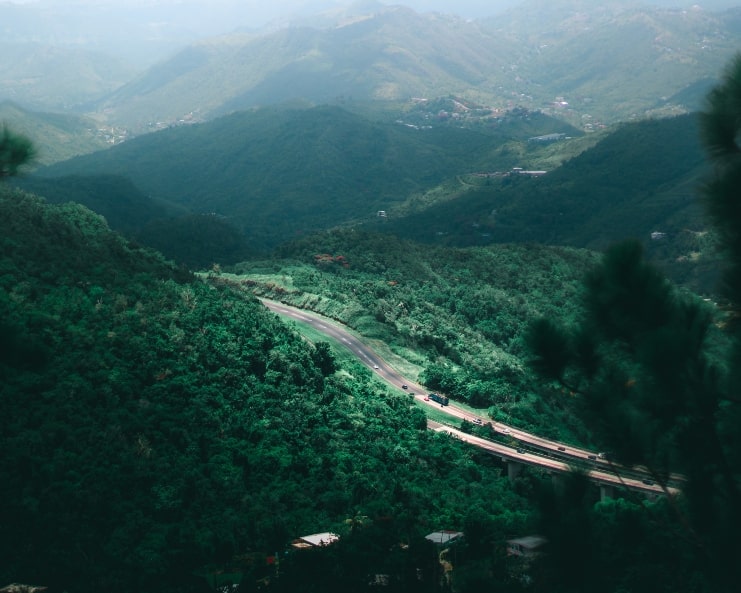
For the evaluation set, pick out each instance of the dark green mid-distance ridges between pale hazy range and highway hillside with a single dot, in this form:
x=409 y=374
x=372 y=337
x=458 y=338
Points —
x=279 y=174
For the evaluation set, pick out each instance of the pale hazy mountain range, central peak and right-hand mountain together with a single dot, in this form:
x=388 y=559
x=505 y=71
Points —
x=589 y=63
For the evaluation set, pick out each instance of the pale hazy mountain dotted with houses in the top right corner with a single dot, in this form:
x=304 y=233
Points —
x=617 y=60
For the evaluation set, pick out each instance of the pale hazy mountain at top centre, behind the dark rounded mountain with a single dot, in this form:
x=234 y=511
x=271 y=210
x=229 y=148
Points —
x=388 y=54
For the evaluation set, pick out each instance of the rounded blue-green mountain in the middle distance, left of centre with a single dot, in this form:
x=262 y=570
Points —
x=279 y=173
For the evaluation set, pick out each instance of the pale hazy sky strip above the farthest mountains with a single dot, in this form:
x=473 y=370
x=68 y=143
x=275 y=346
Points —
x=144 y=31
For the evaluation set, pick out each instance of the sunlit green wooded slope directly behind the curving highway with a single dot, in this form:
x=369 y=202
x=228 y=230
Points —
x=458 y=315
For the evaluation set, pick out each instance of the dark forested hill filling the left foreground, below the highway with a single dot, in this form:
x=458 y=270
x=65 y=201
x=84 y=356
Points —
x=157 y=428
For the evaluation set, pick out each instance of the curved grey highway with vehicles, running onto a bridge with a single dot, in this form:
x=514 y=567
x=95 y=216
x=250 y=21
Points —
x=545 y=453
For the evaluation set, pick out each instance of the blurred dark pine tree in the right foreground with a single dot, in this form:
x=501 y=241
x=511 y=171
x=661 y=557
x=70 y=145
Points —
x=656 y=380
